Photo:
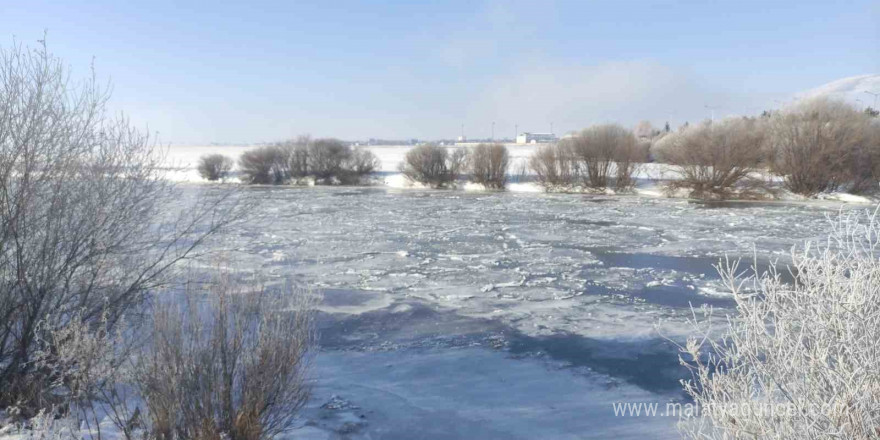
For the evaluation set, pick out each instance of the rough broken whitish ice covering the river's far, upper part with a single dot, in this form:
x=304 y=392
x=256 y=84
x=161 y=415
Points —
x=513 y=257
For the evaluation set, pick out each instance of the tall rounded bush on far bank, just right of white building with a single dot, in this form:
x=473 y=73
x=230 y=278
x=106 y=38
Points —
x=599 y=149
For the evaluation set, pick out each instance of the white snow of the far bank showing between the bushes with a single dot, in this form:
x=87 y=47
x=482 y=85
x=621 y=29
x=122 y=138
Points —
x=182 y=161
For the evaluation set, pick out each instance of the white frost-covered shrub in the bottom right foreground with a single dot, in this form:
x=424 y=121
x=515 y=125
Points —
x=797 y=360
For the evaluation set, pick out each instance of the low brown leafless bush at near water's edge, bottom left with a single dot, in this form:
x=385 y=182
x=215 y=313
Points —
x=227 y=363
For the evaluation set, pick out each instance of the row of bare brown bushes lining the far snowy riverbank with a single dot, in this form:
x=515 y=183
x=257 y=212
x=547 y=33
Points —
x=815 y=146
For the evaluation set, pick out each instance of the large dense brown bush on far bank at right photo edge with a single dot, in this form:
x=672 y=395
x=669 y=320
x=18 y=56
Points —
x=823 y=145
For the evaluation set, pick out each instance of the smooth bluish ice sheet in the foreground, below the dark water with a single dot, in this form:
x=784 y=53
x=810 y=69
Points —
x=493 y=397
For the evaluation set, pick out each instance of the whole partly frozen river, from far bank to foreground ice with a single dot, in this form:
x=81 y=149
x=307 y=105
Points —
x=449 y=314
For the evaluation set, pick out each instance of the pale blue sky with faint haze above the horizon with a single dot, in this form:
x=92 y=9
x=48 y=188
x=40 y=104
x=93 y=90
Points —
x=257 y=71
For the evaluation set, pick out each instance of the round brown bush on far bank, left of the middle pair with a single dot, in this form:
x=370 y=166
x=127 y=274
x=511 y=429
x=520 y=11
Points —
x=433 y=165
